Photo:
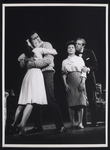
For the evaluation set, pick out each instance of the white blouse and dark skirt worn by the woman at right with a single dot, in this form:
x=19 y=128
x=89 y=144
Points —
x=71 y=67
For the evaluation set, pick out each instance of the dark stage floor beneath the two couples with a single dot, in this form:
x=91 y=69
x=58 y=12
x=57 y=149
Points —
x=88 y=135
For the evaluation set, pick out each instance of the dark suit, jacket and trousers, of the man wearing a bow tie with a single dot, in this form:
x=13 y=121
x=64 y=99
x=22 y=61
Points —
x=91 y=62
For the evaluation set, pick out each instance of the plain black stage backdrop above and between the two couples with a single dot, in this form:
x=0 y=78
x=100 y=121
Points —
x=56 y=25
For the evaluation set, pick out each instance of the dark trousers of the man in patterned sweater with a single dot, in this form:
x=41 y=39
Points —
x=52 y=103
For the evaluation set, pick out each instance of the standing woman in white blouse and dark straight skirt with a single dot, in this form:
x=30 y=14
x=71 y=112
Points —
x=74 y=81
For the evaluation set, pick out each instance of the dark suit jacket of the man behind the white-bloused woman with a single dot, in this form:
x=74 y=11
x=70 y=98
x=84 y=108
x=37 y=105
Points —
x=91 y=62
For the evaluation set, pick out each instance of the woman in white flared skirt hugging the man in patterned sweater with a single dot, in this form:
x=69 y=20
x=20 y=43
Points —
x=33 y=88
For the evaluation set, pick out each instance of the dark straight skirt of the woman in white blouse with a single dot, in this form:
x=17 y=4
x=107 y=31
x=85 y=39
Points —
x=74 y=97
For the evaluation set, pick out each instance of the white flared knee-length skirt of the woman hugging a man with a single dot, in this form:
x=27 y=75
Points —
x=33 y=89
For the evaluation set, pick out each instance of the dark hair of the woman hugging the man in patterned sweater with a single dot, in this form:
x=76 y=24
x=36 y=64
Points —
x=28 y=51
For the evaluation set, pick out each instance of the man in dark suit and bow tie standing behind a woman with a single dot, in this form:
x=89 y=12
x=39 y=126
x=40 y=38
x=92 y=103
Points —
x=91 y=65
